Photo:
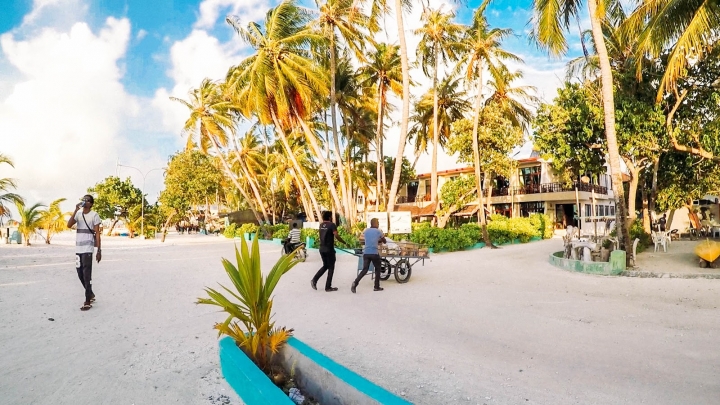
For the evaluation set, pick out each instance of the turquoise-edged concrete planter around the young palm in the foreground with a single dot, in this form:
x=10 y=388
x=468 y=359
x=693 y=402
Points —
x=318 y=376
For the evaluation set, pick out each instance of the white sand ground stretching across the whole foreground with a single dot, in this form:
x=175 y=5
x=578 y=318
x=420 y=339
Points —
x=477 y=327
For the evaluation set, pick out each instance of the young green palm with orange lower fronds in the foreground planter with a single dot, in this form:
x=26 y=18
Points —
x=249 y=321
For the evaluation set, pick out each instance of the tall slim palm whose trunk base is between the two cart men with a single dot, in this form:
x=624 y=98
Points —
x=346 y=18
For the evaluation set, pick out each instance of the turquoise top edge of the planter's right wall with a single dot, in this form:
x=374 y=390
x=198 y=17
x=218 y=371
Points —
x=370 y=389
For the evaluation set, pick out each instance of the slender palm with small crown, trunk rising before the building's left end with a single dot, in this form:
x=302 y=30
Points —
x=482 y=50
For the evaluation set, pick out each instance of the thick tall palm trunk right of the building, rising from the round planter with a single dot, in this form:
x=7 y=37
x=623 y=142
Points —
x=609 y=115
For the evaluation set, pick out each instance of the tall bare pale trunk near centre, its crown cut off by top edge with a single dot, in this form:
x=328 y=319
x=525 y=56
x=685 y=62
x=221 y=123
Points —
x=405 y=107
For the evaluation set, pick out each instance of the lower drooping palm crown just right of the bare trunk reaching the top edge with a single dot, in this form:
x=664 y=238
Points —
x=451 y=104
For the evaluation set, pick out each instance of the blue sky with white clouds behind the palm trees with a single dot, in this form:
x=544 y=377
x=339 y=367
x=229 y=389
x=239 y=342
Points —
x=85 y=85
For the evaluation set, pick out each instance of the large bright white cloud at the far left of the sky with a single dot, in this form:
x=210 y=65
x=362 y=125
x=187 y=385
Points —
x=65 y=113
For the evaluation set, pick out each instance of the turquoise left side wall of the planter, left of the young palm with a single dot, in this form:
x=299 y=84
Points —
x=251 y=384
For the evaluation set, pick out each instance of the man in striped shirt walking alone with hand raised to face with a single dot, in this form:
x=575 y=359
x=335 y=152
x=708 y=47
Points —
x=86 y=240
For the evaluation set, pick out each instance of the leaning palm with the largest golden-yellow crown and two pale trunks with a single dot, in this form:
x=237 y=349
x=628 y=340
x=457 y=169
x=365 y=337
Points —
x=280 y=81
